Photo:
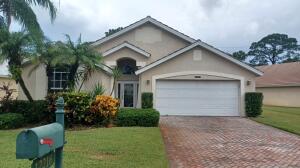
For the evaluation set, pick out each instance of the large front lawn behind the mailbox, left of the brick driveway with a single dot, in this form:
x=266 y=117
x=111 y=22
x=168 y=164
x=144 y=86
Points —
x=103 y=147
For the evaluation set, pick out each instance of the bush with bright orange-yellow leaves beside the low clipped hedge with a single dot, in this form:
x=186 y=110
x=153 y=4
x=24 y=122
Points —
x=103 y=109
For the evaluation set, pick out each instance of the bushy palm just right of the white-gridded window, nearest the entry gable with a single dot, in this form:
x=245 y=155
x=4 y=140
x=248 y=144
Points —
x=79 y=54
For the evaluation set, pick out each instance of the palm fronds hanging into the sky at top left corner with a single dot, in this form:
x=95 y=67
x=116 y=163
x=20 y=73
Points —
x=22 y=12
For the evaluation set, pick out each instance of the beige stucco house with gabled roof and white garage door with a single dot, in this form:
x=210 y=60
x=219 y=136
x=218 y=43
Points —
x=186 y=76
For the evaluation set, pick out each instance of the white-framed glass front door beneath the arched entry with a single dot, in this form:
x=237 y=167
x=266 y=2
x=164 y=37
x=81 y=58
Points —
x=127 y=93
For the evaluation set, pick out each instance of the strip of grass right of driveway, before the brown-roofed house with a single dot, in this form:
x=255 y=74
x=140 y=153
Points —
x=285 y=118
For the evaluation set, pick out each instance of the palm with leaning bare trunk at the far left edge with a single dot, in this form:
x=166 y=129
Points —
x=15 y=47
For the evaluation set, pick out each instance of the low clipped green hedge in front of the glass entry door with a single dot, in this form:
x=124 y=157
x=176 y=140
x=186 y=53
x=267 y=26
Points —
x=137 y=117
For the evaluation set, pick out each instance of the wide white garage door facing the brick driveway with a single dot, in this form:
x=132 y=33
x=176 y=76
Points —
x=201 y=98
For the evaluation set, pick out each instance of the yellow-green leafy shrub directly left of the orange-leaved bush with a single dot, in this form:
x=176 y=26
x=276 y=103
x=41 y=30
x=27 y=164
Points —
x=76 y=106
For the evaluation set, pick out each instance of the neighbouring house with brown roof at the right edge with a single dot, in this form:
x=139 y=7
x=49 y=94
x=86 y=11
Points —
x=280 y=84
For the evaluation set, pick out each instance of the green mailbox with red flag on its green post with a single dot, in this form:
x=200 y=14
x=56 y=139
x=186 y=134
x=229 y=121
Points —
x=44 y=145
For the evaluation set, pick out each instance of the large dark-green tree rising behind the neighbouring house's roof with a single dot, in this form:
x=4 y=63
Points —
x=273 y=49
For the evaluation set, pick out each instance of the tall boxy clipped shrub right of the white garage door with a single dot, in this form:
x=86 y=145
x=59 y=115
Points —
x=253 y=101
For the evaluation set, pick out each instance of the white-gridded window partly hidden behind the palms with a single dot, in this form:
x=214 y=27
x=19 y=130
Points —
x=58 y=78
